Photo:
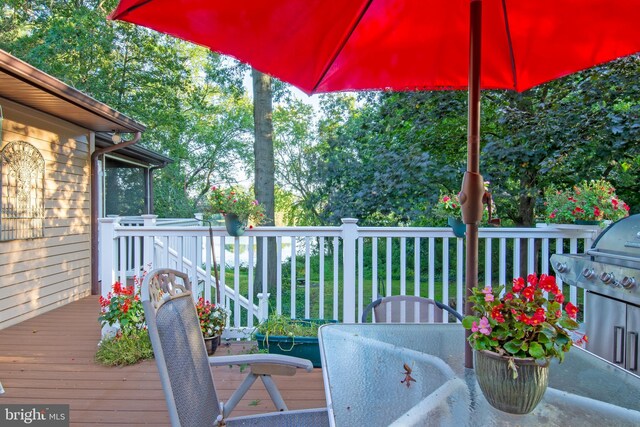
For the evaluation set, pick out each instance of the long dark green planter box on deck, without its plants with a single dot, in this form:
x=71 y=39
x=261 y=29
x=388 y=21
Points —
x=303 y=347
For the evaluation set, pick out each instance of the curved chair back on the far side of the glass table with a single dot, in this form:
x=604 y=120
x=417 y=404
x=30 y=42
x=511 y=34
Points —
x=407 y=309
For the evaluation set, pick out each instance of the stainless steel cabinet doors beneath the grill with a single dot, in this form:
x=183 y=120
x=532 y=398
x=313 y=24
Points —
x=614 y=336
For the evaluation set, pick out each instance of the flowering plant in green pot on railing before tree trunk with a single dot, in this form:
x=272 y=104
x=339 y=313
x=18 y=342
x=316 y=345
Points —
x=238 y=208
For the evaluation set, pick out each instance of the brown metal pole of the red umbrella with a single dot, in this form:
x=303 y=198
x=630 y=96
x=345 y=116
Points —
x=472 y=184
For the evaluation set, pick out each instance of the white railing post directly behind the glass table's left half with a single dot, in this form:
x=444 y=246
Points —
x=349 y=237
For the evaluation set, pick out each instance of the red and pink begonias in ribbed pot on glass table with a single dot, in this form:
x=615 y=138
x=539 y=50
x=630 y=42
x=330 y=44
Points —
x=515 y=336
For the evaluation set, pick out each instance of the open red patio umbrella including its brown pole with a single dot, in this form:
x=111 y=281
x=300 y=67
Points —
x=328 y=45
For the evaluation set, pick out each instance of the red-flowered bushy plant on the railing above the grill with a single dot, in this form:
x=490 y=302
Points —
x=589 y=202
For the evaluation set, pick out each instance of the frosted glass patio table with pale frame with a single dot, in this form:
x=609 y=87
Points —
x=363 y=366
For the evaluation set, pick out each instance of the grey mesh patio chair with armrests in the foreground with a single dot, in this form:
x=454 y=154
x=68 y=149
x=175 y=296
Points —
x=184 y=367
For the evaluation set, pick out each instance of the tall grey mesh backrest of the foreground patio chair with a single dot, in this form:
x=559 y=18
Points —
x=179 y=348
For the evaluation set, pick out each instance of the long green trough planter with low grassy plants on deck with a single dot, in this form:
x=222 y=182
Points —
x=294 y=337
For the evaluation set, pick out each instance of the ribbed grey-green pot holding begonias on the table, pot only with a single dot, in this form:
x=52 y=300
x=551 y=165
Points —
x=515 y=396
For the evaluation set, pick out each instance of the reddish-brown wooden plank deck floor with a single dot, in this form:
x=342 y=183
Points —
x=50 y=360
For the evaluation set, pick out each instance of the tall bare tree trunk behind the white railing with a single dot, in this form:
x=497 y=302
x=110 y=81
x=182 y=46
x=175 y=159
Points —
x=264 y=173
